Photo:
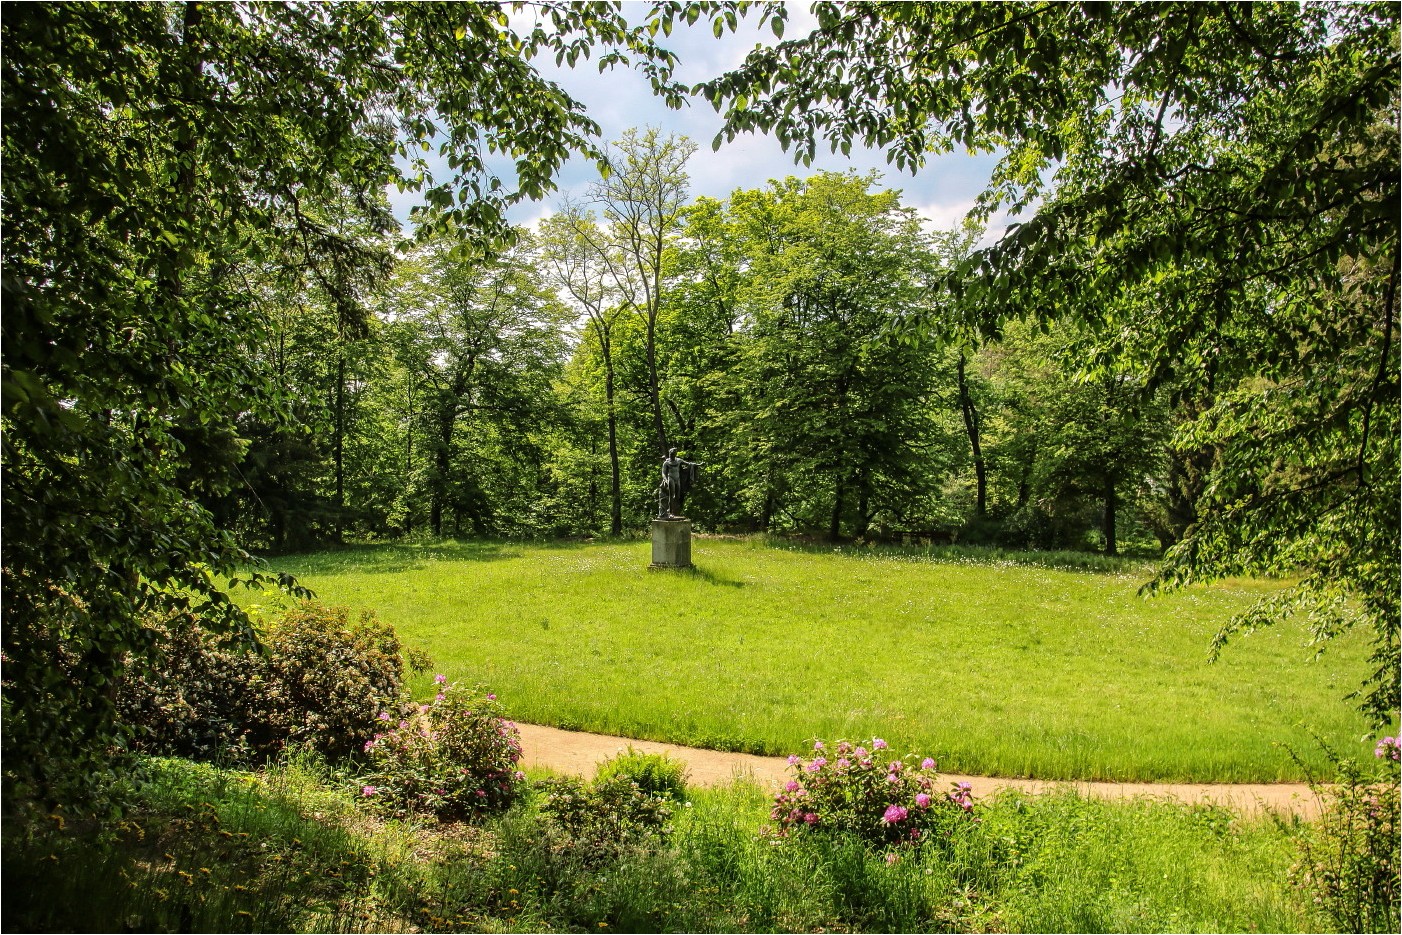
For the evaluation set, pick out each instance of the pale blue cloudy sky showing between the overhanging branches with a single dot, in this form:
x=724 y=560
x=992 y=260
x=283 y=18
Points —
x=620 y=99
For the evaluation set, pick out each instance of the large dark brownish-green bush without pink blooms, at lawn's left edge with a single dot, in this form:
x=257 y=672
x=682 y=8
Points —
x=320 y=682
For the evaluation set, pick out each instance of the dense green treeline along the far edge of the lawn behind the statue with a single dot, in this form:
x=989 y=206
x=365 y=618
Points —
x=494 y=397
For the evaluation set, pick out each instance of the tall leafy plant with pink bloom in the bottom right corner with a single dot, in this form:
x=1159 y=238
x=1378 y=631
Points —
x=1349 y=863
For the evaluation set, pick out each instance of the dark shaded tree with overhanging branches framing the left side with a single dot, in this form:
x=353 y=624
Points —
x=163 y=163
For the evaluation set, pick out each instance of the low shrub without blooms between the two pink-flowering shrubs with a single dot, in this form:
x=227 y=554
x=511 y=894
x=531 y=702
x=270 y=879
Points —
x=599 y=821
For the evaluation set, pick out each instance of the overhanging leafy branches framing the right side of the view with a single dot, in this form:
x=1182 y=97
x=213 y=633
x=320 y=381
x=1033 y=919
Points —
x=1216 y=193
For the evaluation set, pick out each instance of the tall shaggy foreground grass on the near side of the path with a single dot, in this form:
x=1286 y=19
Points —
x=316 y=861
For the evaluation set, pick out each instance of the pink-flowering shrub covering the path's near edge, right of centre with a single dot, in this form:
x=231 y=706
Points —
x=869 y=796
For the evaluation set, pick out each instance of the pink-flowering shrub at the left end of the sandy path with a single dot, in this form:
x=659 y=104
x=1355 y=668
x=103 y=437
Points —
x=454 y=758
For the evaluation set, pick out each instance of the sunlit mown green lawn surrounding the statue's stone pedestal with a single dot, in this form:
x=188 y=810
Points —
x=993 y=668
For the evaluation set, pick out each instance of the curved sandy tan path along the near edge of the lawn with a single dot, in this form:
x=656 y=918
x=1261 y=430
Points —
x=578 y=753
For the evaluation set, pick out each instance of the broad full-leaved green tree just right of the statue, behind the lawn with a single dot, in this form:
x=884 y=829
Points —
x=835 y=403
